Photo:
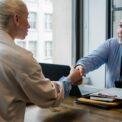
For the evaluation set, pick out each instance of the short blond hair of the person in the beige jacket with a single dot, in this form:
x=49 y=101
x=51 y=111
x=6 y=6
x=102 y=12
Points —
x=9 y=8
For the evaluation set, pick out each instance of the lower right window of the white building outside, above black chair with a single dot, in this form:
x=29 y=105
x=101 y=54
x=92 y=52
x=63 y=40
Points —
x=48 y=49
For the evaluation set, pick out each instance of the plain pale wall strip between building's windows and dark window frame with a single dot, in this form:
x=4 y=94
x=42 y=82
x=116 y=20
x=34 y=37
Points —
x=62 y=30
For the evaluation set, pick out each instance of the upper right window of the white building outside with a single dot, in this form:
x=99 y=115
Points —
x=48 y=22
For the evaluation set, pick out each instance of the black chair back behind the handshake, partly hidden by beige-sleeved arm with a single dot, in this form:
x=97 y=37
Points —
x=55 y=71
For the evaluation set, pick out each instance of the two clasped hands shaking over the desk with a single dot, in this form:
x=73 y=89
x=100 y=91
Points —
x=76 y=75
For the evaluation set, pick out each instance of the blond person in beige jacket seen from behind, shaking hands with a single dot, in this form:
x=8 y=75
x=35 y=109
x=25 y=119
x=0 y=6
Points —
x=21 y=77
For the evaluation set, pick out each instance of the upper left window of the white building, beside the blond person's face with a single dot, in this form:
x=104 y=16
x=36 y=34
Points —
x=32 y=20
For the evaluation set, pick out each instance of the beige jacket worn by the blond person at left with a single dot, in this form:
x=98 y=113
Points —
x=22 y=81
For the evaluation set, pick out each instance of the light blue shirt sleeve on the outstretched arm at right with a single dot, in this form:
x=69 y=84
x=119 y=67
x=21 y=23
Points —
x=96 y=58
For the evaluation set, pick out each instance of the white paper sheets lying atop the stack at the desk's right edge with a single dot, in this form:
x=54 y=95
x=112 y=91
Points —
x=109 y=93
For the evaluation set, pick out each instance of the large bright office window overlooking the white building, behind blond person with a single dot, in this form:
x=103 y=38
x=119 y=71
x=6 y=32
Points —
x=50 y=35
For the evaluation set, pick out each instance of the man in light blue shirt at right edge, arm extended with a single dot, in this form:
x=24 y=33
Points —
x=108 y=53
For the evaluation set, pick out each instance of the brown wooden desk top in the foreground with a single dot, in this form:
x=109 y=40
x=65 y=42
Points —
x=69 y=111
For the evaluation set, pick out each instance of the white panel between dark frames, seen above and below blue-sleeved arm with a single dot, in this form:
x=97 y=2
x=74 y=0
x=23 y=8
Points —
x=94 y=34
